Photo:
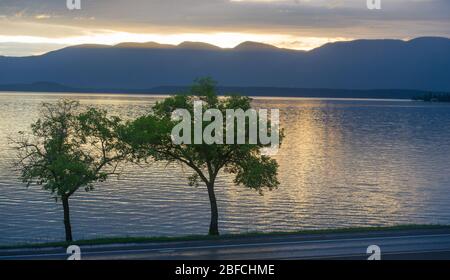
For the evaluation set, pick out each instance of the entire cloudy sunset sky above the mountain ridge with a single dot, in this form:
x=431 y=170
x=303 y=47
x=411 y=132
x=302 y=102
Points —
x=36 y=26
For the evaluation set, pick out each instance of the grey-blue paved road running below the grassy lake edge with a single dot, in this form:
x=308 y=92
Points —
x=406 y=244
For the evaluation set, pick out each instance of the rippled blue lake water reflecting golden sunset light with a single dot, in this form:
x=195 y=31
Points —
x=344 y=163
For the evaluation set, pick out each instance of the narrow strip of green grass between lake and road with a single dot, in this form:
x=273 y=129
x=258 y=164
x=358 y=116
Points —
x=130 y=240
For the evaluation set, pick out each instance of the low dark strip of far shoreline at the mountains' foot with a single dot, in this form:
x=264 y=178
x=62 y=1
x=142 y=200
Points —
x=249 y=91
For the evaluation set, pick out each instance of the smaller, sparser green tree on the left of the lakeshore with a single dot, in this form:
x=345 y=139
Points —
x=67 y=150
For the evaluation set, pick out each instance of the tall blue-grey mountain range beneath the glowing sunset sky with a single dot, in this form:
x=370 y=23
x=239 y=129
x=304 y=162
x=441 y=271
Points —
x=418 y=64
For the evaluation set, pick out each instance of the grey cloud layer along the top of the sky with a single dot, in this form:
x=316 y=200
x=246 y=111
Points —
x=233 y=14
